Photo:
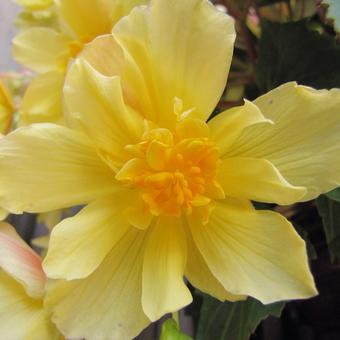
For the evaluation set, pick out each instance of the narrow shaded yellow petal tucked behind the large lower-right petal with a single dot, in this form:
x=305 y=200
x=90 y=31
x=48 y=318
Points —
x=200 y=276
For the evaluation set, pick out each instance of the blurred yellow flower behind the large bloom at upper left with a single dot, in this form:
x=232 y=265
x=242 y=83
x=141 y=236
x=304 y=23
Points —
x=48 y=51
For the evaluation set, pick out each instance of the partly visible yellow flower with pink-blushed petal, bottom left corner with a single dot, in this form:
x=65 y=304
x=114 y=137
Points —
x=22 y=289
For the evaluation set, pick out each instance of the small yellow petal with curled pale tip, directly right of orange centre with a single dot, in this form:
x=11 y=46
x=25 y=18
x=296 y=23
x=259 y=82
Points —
x=256 y=179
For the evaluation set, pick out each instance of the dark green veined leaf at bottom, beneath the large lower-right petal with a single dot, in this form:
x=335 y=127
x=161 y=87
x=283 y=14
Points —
x=233 y=320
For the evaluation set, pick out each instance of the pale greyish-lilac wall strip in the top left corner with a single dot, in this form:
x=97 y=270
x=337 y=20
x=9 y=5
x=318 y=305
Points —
x=8 y=12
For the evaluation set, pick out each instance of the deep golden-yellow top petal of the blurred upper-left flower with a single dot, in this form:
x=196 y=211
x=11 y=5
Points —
x=90 y=18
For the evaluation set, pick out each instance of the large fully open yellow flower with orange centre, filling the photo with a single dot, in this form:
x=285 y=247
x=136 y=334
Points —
x=169 y=194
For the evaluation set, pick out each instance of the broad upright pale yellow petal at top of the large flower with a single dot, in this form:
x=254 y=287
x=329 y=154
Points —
x=180 y=34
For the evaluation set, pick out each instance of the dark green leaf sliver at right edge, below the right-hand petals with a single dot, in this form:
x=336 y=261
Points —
x=329 y=210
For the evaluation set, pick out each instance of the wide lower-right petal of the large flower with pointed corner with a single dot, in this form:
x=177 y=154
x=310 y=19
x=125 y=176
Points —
x=255 y=253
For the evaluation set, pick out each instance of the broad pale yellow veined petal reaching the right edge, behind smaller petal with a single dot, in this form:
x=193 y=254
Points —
x=304 y=141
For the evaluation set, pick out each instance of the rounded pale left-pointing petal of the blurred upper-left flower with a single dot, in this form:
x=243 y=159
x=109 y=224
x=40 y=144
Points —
x=41 y=49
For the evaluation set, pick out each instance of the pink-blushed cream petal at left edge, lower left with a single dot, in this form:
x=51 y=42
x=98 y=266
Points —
x=20 y=261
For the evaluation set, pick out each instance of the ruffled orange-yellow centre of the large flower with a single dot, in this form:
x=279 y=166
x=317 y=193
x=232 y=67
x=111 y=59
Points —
x=173 y=174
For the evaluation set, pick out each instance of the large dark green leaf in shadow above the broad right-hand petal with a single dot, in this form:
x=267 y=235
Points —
x=295 y=52
